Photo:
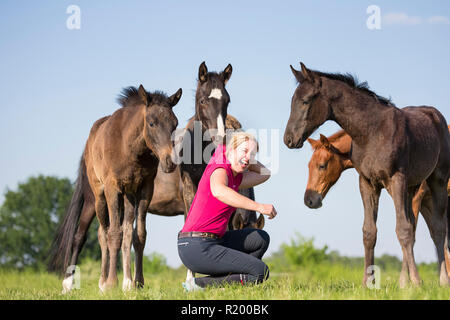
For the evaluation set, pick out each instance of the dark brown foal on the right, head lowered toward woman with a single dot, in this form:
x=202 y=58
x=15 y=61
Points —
x=392 y=148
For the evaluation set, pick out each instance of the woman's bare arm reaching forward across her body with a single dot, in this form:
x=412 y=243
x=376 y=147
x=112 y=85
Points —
x=221 y=191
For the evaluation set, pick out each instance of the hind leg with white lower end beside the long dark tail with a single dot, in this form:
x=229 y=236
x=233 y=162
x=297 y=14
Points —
x=86 y=217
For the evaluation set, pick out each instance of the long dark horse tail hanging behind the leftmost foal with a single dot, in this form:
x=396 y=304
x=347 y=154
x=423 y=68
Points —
x=61 y=249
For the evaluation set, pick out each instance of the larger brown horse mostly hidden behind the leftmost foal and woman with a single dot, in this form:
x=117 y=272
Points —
x=167 y=200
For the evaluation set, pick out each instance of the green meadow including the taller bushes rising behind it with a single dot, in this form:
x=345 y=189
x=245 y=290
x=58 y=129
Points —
x=299 y=271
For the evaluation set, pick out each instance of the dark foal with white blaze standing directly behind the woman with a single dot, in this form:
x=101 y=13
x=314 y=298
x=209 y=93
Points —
x=204 y=131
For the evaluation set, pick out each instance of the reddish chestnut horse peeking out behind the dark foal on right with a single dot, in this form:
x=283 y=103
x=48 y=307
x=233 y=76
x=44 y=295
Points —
x=331 y=156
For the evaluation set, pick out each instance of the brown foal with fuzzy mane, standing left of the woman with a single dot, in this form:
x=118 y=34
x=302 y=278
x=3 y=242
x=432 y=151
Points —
x=121 y=159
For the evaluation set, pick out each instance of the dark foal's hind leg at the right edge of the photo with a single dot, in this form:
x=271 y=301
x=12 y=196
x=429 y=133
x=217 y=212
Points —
x=439 y=221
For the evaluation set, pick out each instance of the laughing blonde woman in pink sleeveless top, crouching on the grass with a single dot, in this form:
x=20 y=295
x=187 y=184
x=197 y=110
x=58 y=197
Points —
x=204 y=245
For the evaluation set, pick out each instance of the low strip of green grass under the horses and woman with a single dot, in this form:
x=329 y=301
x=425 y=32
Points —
x=316 y=281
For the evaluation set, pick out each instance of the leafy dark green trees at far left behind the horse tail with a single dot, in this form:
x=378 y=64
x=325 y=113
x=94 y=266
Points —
x=29 y=218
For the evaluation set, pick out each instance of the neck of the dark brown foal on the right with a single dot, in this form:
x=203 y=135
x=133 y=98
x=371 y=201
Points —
x=352 y=110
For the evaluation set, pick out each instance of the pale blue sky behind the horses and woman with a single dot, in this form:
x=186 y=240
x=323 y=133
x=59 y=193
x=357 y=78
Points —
x=55 y=82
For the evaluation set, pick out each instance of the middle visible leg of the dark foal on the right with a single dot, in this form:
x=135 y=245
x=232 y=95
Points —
x=405 y=227
